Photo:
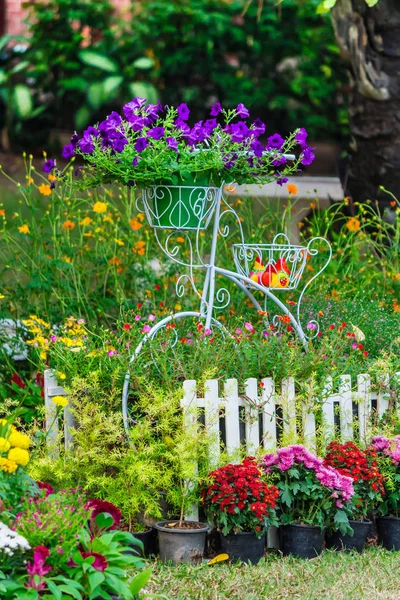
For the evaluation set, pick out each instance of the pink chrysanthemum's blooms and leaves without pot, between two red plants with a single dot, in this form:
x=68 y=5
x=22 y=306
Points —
x=310 y=492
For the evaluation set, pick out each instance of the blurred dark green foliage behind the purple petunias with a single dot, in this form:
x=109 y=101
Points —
x=281 y=62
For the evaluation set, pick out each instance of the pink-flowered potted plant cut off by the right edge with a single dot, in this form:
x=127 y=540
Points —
x=388 y=521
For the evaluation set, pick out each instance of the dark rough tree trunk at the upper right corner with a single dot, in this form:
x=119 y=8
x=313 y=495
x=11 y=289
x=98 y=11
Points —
x=369 y=38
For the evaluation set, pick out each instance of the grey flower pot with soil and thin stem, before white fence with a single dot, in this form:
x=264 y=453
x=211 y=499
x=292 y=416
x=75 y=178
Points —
x=181 y=545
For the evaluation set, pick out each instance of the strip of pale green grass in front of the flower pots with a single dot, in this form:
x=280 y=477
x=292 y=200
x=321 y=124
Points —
x=373 y=575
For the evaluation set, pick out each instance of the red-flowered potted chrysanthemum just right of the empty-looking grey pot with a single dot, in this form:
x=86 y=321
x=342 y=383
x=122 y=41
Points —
x=241 y=506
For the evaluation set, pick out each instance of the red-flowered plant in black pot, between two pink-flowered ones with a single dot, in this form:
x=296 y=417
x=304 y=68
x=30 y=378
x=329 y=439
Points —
x=362 y=467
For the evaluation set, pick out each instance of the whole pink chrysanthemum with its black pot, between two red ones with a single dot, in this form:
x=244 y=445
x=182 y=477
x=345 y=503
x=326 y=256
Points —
x=312 y=496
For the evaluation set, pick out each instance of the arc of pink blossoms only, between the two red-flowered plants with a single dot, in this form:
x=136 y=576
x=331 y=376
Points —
x=285 y=458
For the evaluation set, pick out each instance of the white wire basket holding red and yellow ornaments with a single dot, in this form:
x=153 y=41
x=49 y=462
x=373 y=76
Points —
x=277 y=266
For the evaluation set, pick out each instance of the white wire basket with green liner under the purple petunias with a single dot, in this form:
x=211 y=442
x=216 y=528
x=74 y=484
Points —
x=179 y=207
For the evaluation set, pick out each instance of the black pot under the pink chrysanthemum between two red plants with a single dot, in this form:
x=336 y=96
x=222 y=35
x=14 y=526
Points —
x=302 y=541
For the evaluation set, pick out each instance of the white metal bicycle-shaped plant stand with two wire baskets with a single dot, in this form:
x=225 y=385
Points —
x=189 y=212
